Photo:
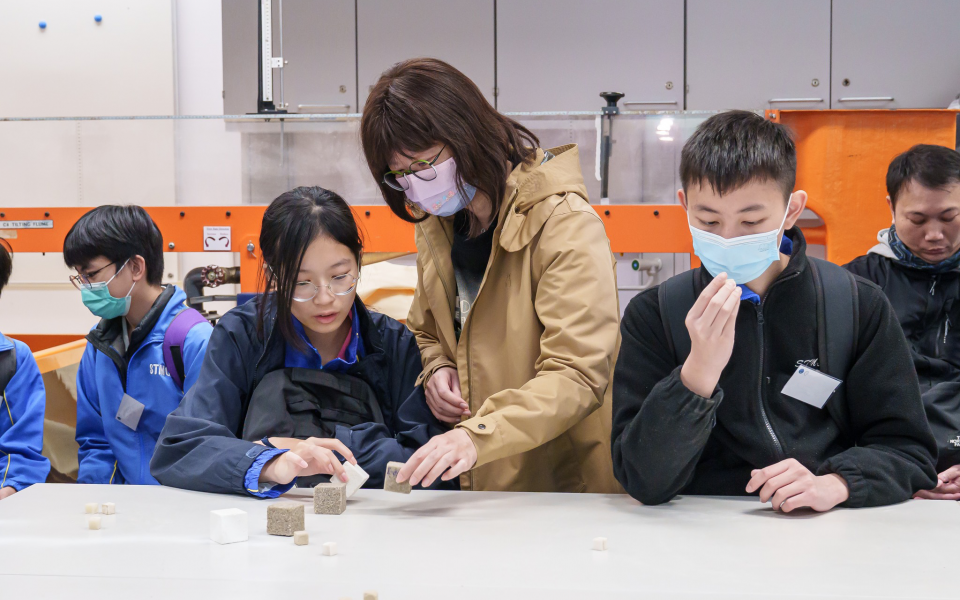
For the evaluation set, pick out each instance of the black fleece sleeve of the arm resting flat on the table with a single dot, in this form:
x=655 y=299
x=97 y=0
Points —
x=895 y=452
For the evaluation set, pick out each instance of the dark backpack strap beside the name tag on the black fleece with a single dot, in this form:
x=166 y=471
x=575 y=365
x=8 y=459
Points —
x=838 y=326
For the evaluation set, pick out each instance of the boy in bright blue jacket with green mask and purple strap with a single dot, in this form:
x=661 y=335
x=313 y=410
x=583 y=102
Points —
x=126 y=386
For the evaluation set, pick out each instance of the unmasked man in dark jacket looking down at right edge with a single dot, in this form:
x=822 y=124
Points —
x=917 y=264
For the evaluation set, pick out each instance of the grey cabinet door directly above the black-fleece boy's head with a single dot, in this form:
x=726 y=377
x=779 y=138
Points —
x=758 y=54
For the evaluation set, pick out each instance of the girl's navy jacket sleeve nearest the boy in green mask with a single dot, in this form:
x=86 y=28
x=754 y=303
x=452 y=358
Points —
x=197 y=448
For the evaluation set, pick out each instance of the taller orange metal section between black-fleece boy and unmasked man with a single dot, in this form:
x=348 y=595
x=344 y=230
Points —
x=842 y=160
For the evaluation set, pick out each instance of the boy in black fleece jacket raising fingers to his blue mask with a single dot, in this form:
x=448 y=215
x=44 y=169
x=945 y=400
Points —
x=718 y=423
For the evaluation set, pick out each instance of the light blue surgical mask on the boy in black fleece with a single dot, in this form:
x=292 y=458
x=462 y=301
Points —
x=742 y=258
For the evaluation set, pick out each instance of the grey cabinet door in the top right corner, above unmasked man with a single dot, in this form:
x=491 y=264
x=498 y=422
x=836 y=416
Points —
x=895 y=53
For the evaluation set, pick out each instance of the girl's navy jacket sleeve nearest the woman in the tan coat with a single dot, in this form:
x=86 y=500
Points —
x=410 y=425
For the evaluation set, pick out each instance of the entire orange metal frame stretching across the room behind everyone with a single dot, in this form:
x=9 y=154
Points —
x=842 y=159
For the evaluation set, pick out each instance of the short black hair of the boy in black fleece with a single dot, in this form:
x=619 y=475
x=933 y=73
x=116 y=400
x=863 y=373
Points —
x=734 y=148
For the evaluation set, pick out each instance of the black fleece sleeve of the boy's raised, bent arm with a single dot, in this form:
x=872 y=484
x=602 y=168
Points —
x=660 y=428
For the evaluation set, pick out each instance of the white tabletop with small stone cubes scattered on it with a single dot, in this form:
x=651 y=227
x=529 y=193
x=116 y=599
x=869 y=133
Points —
x=495 y=546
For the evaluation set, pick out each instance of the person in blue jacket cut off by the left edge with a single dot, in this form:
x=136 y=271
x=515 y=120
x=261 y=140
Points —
x=22 y=404
